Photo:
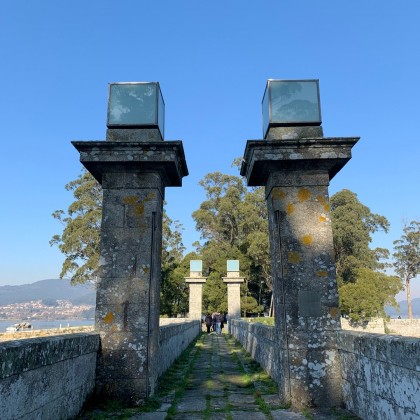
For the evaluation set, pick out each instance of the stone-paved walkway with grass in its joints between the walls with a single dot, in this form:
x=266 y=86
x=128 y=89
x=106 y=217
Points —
x=215 y=380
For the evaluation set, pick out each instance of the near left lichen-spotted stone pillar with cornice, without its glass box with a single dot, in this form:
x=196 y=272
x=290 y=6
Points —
x=134 y=166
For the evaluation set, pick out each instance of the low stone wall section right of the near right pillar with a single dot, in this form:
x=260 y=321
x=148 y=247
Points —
x=381 y=375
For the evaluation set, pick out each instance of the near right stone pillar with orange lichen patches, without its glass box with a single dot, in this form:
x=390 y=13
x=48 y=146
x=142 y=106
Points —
x=296 y=172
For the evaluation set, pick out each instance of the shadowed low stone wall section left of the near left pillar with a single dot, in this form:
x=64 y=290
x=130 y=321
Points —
x=47 y=378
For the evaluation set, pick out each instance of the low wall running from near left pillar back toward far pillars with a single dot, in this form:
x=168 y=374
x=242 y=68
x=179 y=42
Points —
x=174 y=338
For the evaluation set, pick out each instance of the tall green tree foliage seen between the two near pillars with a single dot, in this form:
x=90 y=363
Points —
x=233 y=225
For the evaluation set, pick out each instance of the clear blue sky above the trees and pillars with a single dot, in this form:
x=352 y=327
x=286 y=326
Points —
x=212 y=60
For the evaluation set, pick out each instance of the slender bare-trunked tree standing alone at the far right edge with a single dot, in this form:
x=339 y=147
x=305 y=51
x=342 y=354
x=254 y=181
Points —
x=407 y=258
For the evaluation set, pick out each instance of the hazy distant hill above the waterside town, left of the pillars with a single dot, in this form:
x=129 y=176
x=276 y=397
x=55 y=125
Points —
x=54 y=289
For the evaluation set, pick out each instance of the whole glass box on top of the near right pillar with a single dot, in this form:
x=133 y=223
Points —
x=291 y=103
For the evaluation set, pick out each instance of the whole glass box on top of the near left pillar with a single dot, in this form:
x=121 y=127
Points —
x=136 y=105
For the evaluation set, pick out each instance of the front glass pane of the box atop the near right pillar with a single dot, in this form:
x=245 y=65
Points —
x=294 y=102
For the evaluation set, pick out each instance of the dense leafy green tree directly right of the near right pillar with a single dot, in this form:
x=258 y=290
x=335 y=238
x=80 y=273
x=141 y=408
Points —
x=363 y=288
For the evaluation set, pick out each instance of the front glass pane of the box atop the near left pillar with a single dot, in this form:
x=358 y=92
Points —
x=132 y=104
